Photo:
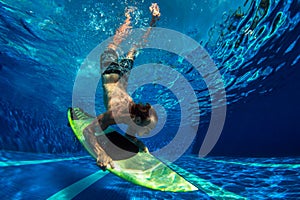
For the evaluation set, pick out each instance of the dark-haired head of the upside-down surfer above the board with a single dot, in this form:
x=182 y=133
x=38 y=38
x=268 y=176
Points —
x=144 y=117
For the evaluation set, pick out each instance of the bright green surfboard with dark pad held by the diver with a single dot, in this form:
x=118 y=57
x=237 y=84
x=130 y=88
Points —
x=136 y=167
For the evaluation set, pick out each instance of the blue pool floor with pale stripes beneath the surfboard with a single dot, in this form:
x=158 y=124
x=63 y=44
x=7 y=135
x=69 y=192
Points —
x=47 y=176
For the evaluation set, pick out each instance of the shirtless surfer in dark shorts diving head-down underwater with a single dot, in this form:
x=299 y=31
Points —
x=140 y=118
